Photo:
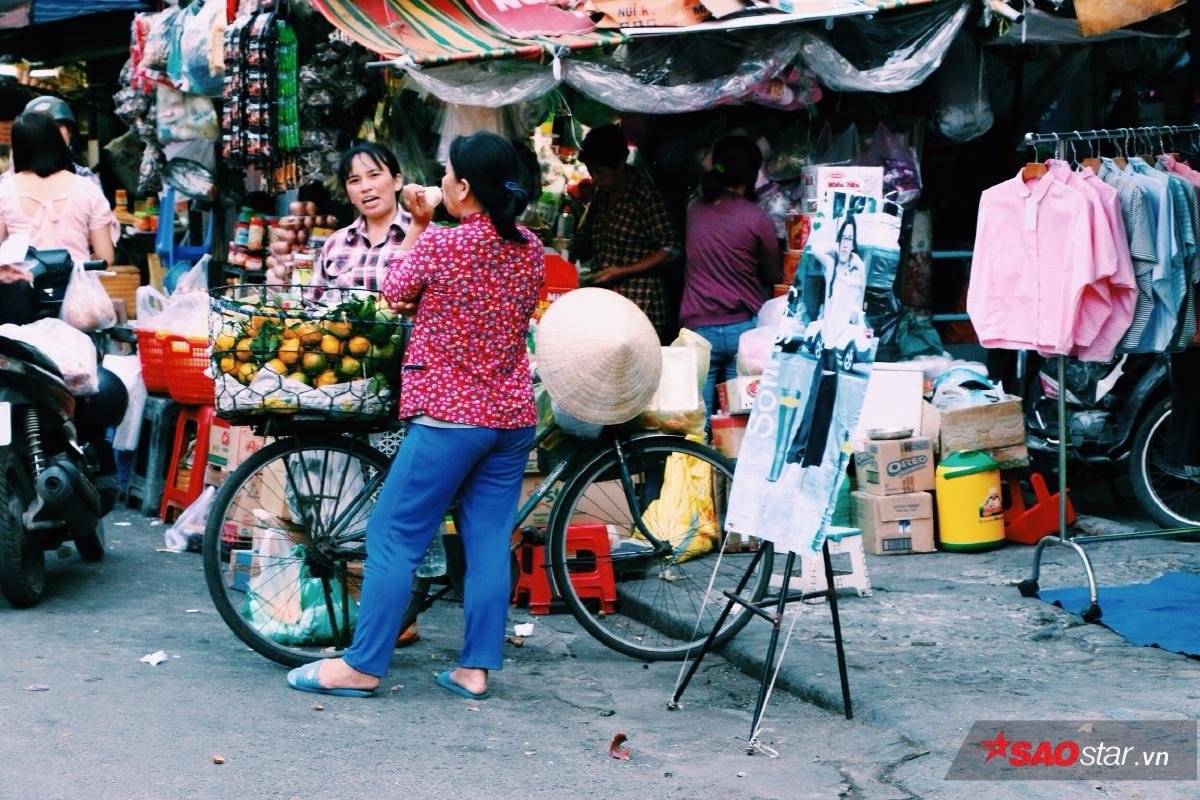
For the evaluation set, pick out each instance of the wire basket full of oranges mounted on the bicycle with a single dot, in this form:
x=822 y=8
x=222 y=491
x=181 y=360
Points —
x=291 y=350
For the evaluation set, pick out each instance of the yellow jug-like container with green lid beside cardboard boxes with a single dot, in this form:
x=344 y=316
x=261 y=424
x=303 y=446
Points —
x=970 y=504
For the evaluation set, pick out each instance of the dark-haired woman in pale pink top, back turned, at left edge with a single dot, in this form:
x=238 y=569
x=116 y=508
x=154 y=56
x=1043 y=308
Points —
x=46 y=201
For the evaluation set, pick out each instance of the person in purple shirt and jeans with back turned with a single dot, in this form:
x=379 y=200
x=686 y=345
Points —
x=733 y=257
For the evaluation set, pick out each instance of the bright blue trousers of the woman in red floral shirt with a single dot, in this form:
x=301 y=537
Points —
x=483 y=468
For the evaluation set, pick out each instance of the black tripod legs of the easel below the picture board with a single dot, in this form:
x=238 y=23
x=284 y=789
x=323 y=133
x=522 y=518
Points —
x=772 y=609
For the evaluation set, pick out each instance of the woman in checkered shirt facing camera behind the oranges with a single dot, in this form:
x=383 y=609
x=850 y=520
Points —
x=357 y=256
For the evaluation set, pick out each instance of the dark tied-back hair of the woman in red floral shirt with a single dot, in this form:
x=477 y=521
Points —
x=490 y=164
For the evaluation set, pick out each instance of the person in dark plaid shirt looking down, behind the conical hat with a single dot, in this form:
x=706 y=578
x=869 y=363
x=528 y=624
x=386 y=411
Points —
x=627 y=232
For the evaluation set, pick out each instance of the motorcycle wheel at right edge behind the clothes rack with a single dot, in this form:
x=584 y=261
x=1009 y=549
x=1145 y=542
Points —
x=1171 y=496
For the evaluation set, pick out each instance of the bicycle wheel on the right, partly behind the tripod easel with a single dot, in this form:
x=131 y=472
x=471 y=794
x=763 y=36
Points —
x=669 y=593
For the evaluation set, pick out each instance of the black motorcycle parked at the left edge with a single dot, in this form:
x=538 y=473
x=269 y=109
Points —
x=49 y=479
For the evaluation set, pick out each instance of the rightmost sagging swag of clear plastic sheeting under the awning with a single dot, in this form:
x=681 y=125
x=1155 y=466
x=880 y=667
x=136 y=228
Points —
x=897 y=53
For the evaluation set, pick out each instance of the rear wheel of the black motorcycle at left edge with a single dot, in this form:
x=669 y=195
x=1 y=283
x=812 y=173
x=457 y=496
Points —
x=22 y=561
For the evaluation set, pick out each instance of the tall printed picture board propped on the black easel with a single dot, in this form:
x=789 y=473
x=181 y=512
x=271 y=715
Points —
x=797 y=444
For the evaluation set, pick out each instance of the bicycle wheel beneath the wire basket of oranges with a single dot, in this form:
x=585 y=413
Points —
x=285 y=545
